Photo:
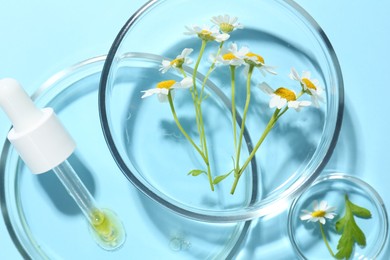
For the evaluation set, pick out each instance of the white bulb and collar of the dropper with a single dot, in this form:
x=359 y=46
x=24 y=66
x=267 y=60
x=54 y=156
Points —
x=37 y=134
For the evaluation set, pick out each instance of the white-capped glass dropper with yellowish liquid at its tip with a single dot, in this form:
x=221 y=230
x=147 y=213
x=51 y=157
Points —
x=44 y=144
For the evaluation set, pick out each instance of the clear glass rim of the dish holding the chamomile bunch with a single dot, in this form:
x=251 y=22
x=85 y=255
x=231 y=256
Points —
x=268 y=205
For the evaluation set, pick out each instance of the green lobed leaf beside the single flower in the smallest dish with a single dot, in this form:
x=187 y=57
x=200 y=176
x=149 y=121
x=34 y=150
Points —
x=351 y=233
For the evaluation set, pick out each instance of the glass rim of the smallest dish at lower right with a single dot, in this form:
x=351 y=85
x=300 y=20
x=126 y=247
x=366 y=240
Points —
x=334 y=177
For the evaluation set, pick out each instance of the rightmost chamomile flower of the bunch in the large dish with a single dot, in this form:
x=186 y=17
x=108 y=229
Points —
x=310 y=86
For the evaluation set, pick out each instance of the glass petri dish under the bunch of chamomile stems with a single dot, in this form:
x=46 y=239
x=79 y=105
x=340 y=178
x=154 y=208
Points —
x=155 y=155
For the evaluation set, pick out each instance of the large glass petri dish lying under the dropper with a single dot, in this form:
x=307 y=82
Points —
x=45 y=223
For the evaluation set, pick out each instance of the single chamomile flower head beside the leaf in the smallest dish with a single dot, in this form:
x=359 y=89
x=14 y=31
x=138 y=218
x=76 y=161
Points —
x=321 y=212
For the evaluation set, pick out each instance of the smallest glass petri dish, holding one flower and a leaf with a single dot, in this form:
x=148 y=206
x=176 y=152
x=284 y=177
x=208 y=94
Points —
x=306 y=237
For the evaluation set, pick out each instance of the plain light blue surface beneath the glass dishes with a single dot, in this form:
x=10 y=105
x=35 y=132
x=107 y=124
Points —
x=40 y=38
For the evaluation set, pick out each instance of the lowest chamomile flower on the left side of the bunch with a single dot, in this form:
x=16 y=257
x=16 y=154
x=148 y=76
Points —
x=163 y=88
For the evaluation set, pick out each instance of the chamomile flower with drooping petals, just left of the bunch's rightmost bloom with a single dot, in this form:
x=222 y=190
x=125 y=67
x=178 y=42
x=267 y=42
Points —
x=282 y=97
